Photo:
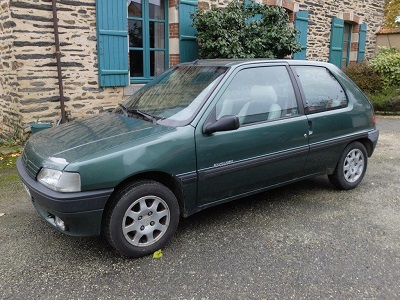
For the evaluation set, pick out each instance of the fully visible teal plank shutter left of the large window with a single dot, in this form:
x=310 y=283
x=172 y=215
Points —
x=112 y=42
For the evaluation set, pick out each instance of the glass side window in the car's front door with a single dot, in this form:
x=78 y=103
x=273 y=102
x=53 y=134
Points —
x=259 y=94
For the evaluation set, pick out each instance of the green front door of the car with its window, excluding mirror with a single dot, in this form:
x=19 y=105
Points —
x=270 y=146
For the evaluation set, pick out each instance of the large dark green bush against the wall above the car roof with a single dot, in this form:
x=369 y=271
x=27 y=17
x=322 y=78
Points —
x=244 y=30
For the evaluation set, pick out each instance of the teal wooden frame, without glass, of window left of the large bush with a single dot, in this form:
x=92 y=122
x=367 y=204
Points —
x=146 y=49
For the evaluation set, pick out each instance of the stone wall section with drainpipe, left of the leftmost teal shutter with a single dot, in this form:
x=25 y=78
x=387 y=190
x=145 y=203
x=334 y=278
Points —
x=28 y=72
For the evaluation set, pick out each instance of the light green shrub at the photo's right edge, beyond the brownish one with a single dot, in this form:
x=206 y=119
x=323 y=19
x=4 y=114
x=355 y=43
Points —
x=387 y=64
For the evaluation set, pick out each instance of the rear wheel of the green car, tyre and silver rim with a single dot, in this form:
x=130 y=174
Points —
x=351 y=167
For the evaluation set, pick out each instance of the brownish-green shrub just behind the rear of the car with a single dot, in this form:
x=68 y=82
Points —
x=365 y=77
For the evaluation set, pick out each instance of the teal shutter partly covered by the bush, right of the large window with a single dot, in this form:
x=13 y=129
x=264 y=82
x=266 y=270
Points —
x=188 y=48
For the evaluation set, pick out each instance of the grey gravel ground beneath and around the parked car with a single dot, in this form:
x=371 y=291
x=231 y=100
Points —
x=304 y=241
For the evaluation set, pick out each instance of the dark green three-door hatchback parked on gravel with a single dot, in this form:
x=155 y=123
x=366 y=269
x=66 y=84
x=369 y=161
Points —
x=201 y=134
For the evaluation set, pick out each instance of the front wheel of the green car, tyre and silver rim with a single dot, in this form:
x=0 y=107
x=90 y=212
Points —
x=142 y=218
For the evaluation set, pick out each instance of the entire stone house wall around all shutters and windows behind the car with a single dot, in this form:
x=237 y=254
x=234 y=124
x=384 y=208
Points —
x=28 y=73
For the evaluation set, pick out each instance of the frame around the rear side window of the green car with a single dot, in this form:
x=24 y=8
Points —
x=303 y=95
